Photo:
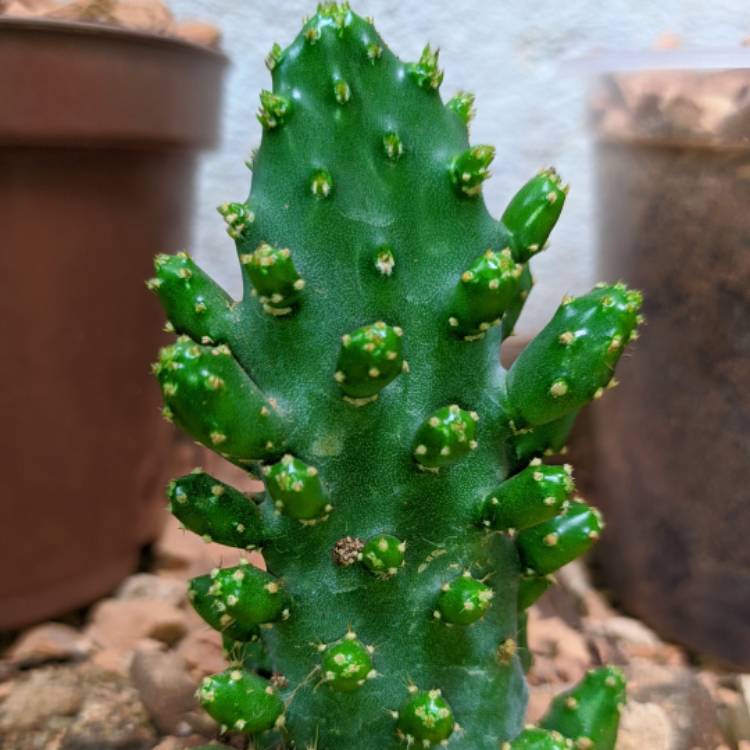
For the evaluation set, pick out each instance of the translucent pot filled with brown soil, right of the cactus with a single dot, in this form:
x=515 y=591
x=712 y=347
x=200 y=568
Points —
x=672 y=446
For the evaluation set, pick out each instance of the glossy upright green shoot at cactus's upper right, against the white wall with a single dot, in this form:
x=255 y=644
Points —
x=533 y=213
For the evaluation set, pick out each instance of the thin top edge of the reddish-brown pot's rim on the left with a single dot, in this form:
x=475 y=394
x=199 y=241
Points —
x=115 y=33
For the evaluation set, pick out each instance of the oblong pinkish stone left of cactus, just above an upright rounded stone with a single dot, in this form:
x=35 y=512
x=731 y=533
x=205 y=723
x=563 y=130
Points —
x=121 y=623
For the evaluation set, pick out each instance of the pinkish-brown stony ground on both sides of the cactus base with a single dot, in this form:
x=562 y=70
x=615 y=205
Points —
x=122 y=675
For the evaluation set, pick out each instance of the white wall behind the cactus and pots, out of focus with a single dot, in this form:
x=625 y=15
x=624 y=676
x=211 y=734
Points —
x=515 y=55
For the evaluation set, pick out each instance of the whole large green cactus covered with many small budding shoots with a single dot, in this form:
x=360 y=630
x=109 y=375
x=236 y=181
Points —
x=408 y=519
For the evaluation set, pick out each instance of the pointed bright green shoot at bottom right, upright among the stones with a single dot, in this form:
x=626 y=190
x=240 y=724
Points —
x=589 y=713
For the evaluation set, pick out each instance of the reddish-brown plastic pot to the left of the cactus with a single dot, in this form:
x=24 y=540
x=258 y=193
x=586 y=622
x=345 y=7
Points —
x=99 y=129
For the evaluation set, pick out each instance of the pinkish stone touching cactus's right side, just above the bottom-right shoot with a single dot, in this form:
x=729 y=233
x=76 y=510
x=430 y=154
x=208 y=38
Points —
x=560 y=653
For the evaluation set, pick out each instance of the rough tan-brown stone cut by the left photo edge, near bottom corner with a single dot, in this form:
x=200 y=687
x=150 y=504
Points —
x=39 y=696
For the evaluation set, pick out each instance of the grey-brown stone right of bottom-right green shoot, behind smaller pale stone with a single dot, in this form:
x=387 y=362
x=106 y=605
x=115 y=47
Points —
x=682 y=696
